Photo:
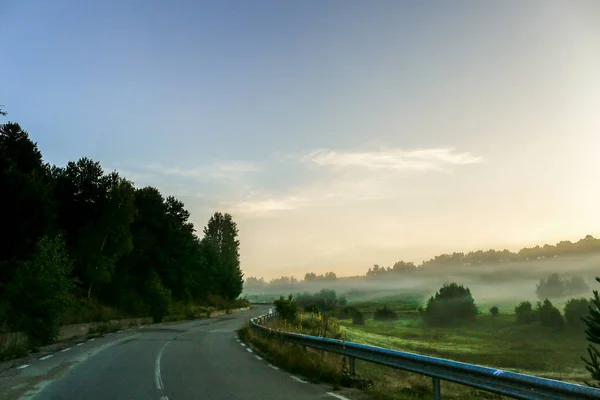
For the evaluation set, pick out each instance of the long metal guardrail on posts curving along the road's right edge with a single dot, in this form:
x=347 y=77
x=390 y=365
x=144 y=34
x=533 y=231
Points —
x=510 y=384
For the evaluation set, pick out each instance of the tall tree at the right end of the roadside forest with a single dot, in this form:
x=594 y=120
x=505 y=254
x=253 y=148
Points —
x=221 y=234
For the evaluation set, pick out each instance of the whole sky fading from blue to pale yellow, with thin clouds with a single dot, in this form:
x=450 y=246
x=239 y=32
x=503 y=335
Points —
x=338 y=133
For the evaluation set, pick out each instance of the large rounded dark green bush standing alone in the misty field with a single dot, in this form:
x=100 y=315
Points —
x=453 y=303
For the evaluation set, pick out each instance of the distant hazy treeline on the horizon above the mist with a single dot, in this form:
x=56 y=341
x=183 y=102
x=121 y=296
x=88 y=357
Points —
x=585 y=246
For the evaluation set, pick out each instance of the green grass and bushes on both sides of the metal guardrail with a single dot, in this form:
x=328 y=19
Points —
x=538 y=339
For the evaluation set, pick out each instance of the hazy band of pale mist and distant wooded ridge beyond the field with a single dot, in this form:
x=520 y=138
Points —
x=500 y=281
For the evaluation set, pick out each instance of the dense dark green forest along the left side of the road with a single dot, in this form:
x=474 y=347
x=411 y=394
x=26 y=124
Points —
x=77 y=234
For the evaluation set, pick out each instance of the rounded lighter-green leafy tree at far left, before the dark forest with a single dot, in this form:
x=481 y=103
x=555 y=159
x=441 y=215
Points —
x=40 y=292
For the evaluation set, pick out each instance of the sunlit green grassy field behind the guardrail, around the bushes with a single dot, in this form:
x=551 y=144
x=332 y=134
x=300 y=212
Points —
x=491 y=341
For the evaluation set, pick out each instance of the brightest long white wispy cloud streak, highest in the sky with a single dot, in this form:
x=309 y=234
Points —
x=435 y=159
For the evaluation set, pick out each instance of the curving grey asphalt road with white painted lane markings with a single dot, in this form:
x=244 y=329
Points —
x=178 y=361
